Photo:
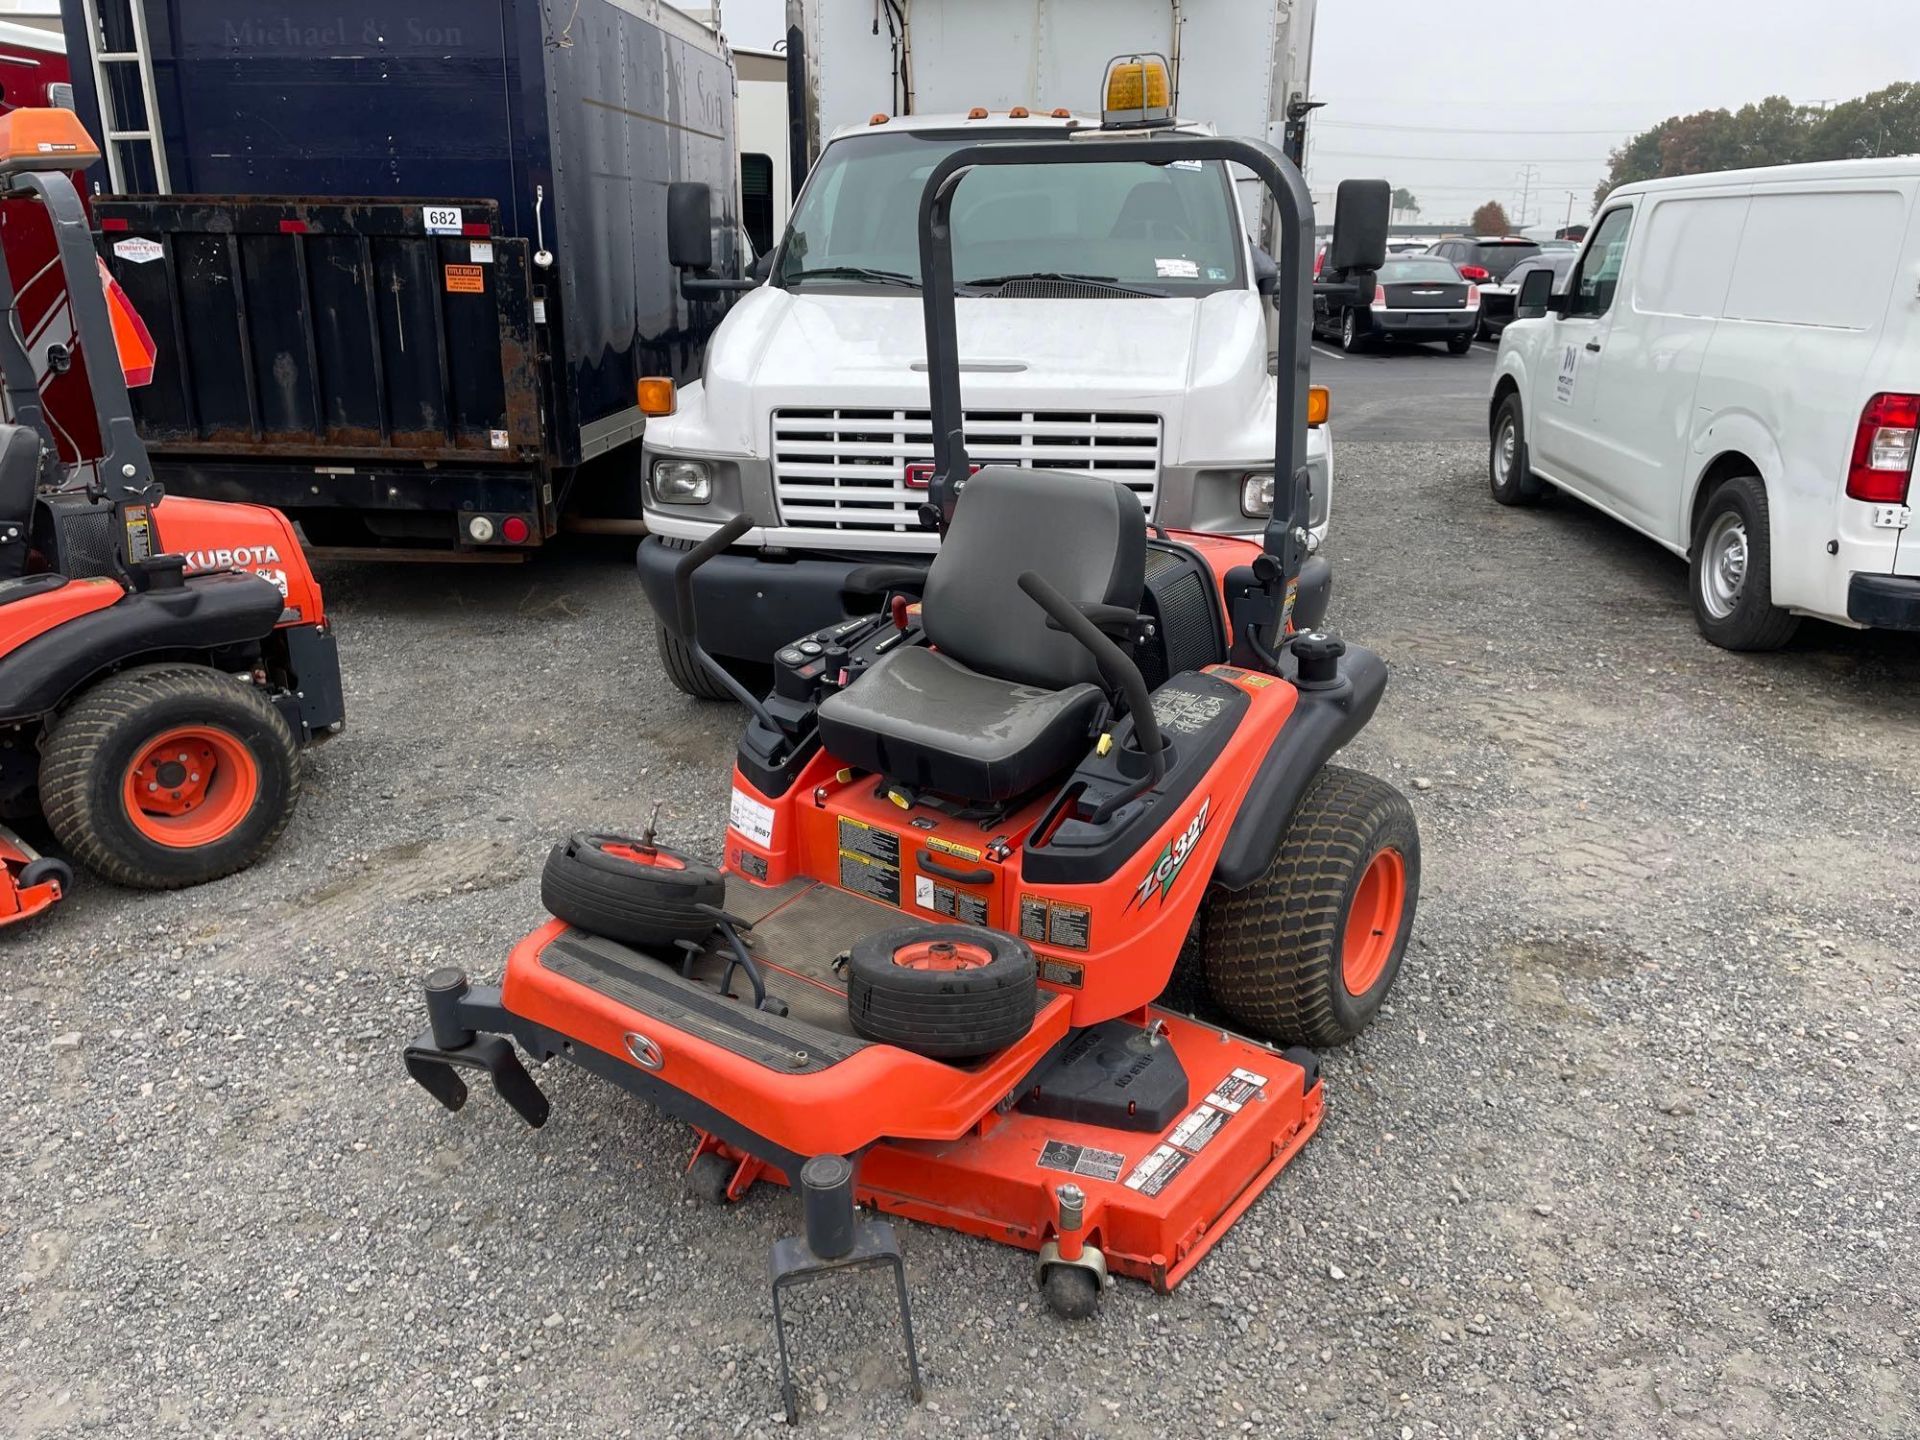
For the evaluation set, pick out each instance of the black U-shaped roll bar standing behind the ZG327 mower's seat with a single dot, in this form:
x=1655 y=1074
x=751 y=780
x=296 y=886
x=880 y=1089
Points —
x=1285 y=540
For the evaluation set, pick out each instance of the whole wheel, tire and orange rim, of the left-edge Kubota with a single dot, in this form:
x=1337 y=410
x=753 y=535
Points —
x=168 y=777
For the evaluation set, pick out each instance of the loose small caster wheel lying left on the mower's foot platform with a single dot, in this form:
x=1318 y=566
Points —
x=631 y=892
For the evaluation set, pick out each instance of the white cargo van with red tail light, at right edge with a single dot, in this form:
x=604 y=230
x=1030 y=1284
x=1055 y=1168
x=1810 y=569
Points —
x=1735 y=370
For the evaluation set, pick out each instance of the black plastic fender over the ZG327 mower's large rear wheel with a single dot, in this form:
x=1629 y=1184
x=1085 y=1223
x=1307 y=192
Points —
x=1322 y=723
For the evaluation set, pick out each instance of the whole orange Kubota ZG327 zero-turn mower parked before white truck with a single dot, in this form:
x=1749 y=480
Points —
x=978 y=848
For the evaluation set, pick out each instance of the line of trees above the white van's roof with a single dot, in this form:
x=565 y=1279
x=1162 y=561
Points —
x=1773 y=132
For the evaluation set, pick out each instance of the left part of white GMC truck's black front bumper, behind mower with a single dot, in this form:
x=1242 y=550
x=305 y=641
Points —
x=750 y=604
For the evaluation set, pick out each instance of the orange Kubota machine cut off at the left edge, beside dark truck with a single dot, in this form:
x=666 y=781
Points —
x=160 y=660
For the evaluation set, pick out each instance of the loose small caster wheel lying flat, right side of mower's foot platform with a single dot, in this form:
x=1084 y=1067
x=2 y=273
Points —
x=944 y=992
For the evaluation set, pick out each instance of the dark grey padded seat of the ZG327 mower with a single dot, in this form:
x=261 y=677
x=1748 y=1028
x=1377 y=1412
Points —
x=1001 y=704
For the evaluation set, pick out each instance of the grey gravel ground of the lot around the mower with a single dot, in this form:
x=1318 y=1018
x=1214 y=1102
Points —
x=1627 y=1159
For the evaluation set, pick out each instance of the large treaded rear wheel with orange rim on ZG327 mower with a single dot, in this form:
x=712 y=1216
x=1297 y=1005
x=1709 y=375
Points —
x=1308 y=951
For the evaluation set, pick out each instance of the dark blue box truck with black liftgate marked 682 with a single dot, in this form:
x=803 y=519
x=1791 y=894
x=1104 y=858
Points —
x=408 y=264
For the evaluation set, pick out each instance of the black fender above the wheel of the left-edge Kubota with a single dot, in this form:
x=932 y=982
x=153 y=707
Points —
x=206 y=613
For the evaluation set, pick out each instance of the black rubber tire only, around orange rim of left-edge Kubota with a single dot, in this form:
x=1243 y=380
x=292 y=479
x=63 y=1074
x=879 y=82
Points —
x=89 y=750
